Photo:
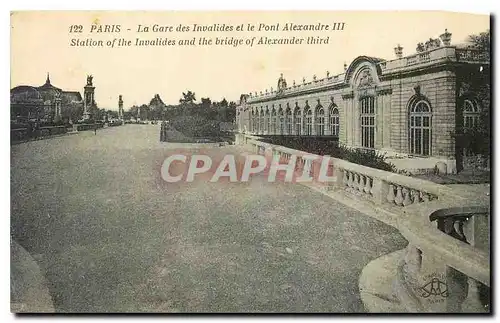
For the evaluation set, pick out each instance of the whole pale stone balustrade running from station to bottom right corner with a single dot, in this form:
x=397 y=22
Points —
x=445 y=267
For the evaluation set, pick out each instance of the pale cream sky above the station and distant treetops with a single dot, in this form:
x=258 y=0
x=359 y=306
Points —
x=40 y=44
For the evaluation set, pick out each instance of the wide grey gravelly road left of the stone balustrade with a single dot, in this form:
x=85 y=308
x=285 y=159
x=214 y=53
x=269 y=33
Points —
x=112 y=237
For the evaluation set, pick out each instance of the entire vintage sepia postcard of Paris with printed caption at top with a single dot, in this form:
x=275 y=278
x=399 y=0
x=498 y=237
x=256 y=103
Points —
x=250 y=162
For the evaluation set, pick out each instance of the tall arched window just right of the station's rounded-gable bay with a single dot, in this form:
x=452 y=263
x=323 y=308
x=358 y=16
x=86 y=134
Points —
x=420 y=128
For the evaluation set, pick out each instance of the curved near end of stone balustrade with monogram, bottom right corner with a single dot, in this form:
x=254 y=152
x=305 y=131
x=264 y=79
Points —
x=446 y=265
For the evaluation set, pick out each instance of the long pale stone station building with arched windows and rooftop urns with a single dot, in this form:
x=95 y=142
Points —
x=405 y=107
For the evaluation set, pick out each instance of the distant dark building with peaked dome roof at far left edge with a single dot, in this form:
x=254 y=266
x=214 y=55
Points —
x=46 y=103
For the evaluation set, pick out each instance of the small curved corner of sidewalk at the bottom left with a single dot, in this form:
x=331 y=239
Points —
x=28 y=288
